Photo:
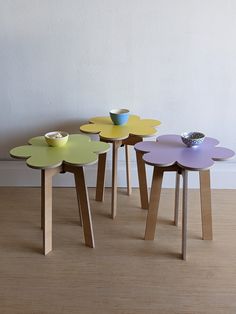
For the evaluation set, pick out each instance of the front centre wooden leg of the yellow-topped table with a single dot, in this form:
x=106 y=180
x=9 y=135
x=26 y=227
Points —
x=115 y=147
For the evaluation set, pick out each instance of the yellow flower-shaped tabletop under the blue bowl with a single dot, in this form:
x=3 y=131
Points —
x=135 y=126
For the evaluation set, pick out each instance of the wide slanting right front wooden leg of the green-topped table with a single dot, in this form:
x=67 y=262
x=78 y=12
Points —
x=84 y=206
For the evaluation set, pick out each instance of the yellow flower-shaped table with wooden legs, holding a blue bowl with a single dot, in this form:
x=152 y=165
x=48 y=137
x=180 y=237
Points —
x=129 y=134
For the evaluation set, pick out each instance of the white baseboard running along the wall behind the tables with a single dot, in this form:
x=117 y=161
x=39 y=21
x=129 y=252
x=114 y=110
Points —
x=16 y=173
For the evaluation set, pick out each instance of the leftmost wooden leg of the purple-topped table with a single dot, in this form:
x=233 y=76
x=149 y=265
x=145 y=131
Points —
x=153 y=204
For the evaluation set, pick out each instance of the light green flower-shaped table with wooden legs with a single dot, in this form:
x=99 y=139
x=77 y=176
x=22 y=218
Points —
x=78 y=152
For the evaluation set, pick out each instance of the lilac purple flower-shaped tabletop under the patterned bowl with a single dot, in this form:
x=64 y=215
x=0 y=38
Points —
x=169 y=150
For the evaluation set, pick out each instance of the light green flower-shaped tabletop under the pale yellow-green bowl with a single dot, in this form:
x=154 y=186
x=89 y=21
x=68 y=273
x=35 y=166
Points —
x=78 y=151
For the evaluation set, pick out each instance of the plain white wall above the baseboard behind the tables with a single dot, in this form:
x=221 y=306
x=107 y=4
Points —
x=63 y=61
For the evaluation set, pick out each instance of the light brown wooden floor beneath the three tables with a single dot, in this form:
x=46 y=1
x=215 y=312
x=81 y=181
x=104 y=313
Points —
x=124 y=273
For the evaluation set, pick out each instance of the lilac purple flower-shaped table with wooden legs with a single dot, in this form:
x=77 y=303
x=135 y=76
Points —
x=169 y=153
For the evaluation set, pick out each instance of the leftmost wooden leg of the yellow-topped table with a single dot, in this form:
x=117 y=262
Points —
x=101 y=177
